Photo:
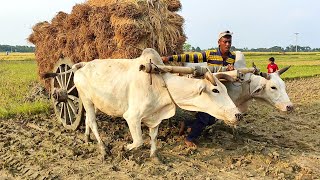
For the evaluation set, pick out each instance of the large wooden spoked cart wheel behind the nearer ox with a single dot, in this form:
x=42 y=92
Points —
x=67 y=104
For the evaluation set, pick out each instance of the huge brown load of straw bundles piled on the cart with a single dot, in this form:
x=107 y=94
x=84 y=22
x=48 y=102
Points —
x=108 y=29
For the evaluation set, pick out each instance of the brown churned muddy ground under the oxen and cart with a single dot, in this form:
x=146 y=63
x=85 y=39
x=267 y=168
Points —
x=270 y=145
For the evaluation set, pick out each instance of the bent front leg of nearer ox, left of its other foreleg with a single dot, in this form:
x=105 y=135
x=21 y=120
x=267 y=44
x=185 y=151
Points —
x=136 y=133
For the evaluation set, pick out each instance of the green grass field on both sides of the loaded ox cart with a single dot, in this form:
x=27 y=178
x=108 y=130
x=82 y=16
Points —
x=18 y=72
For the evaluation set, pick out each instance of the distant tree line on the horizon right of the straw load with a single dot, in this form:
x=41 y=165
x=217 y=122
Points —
x=291 y=48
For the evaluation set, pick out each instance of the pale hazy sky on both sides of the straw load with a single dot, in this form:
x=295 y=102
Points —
x=254 y=23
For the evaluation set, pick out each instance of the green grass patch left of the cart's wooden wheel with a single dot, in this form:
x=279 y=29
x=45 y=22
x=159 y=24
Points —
x=15 y=80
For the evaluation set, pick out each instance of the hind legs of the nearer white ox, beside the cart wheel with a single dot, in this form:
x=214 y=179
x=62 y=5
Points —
x=91 y=121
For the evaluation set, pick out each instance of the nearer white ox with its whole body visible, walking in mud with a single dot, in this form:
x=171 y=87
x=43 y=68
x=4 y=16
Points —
x=117 y=88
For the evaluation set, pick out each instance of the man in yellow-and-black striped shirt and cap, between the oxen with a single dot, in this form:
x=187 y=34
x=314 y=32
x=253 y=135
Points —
x=217 y=57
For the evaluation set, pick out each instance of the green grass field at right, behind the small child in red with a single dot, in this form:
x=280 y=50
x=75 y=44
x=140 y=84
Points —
x=304 y=64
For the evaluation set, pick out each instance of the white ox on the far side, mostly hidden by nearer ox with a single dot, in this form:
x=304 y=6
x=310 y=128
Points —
x=270 y=88
